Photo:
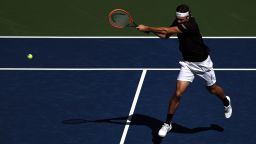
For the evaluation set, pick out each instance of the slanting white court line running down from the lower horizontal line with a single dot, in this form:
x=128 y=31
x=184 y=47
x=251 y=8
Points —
x=133 y=106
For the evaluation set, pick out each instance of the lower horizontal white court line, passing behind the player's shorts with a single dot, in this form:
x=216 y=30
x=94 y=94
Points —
x=116 y=69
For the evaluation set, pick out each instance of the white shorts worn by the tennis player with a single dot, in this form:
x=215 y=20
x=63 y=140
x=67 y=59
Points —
x=203 y=69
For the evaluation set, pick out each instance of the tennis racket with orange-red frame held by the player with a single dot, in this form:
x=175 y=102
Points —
x=119 y=18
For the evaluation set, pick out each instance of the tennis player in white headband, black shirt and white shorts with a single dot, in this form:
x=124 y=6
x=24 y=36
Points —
x=196 y=61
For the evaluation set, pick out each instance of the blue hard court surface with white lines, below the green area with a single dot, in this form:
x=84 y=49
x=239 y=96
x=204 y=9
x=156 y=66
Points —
x=116 y=90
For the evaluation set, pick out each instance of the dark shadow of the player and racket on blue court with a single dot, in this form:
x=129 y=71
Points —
x=152 y=123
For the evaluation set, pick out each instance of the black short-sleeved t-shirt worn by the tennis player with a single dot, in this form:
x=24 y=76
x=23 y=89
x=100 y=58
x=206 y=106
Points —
x=191 y=46
